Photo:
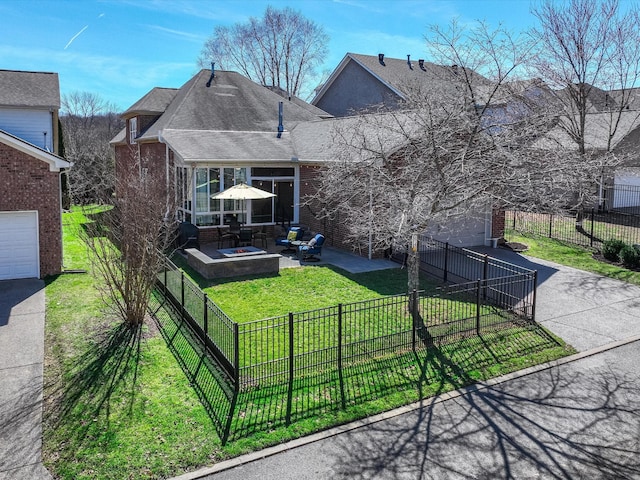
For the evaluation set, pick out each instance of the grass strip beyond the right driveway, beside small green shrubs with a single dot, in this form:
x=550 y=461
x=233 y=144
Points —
x=572 y=256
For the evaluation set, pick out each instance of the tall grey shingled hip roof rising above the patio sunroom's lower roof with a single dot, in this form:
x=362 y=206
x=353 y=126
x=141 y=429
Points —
x=231 y=103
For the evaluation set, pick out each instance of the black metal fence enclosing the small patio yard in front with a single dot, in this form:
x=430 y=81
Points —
x=278 y=350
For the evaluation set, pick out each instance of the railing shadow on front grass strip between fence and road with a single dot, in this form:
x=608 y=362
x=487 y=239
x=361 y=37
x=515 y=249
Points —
x=401 y=379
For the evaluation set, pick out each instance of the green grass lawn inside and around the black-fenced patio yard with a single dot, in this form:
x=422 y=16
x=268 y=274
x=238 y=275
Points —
x=149 y=404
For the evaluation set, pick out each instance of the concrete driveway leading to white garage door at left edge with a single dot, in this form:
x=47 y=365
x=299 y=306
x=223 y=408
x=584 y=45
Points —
x=22 y=314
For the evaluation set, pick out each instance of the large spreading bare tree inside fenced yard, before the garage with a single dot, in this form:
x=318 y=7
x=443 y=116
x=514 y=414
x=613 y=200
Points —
x=466 y=144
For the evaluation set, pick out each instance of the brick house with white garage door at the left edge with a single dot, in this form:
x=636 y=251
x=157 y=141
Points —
x=30 y=169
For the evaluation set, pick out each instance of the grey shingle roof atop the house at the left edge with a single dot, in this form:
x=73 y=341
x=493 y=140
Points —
x=29 y=89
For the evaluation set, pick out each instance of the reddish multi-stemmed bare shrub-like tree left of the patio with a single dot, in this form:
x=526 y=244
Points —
x=128 y=241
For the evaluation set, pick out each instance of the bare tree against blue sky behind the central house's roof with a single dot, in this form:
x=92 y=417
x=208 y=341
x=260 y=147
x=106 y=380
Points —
x=280 y=49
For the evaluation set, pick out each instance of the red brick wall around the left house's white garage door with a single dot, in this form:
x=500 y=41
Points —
x=27 y=184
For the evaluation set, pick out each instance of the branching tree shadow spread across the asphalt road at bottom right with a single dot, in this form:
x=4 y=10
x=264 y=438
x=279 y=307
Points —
x=561 y=423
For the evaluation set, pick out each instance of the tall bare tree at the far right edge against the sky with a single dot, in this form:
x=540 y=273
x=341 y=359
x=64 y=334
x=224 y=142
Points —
x=589 y=54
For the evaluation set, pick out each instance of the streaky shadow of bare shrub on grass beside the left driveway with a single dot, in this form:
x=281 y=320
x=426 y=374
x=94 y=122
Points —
x=81 y=402
